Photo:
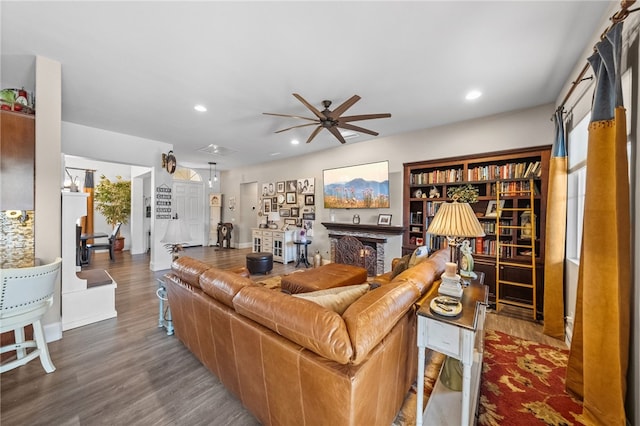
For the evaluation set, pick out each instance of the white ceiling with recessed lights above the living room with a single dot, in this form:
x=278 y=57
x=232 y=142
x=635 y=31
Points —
x=140 y=67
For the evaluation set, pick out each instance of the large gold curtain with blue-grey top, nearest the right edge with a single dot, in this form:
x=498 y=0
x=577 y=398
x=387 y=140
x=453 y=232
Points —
x=600 y=346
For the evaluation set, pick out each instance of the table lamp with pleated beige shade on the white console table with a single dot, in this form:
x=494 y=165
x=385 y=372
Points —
x=456 y=221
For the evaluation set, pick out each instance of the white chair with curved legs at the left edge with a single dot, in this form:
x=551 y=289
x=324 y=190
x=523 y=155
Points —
x=25 y=295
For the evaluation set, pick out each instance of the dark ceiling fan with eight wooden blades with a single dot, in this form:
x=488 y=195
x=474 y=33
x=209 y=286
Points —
x=332 y=120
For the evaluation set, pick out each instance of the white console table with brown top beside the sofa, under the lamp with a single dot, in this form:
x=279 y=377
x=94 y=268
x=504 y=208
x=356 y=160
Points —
x=460 y=337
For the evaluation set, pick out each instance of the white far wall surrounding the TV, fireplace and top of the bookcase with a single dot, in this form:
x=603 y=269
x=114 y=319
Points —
x=524 y=128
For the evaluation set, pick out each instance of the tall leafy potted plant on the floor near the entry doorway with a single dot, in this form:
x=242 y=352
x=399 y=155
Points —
x=113 y=201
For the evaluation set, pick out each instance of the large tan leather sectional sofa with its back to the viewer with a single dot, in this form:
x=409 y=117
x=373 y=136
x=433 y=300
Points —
x=293 y=362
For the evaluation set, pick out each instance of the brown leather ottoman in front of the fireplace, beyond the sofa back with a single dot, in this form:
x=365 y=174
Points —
x=327 y=276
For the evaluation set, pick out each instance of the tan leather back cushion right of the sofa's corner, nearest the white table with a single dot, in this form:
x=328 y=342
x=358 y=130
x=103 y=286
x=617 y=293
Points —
x=370 y=318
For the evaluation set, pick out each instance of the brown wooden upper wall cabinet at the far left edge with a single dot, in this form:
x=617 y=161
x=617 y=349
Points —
x=17 y=160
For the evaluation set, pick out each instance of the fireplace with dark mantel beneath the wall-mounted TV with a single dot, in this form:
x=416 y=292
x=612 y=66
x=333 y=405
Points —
x=362 y=245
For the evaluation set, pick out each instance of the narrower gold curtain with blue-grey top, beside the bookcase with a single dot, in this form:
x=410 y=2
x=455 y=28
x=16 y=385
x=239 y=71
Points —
x=556 y=228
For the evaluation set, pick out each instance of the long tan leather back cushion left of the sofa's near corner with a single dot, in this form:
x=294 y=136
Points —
x=301 y=321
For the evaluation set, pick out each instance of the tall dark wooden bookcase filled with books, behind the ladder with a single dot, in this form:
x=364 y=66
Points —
x=427 y=183
